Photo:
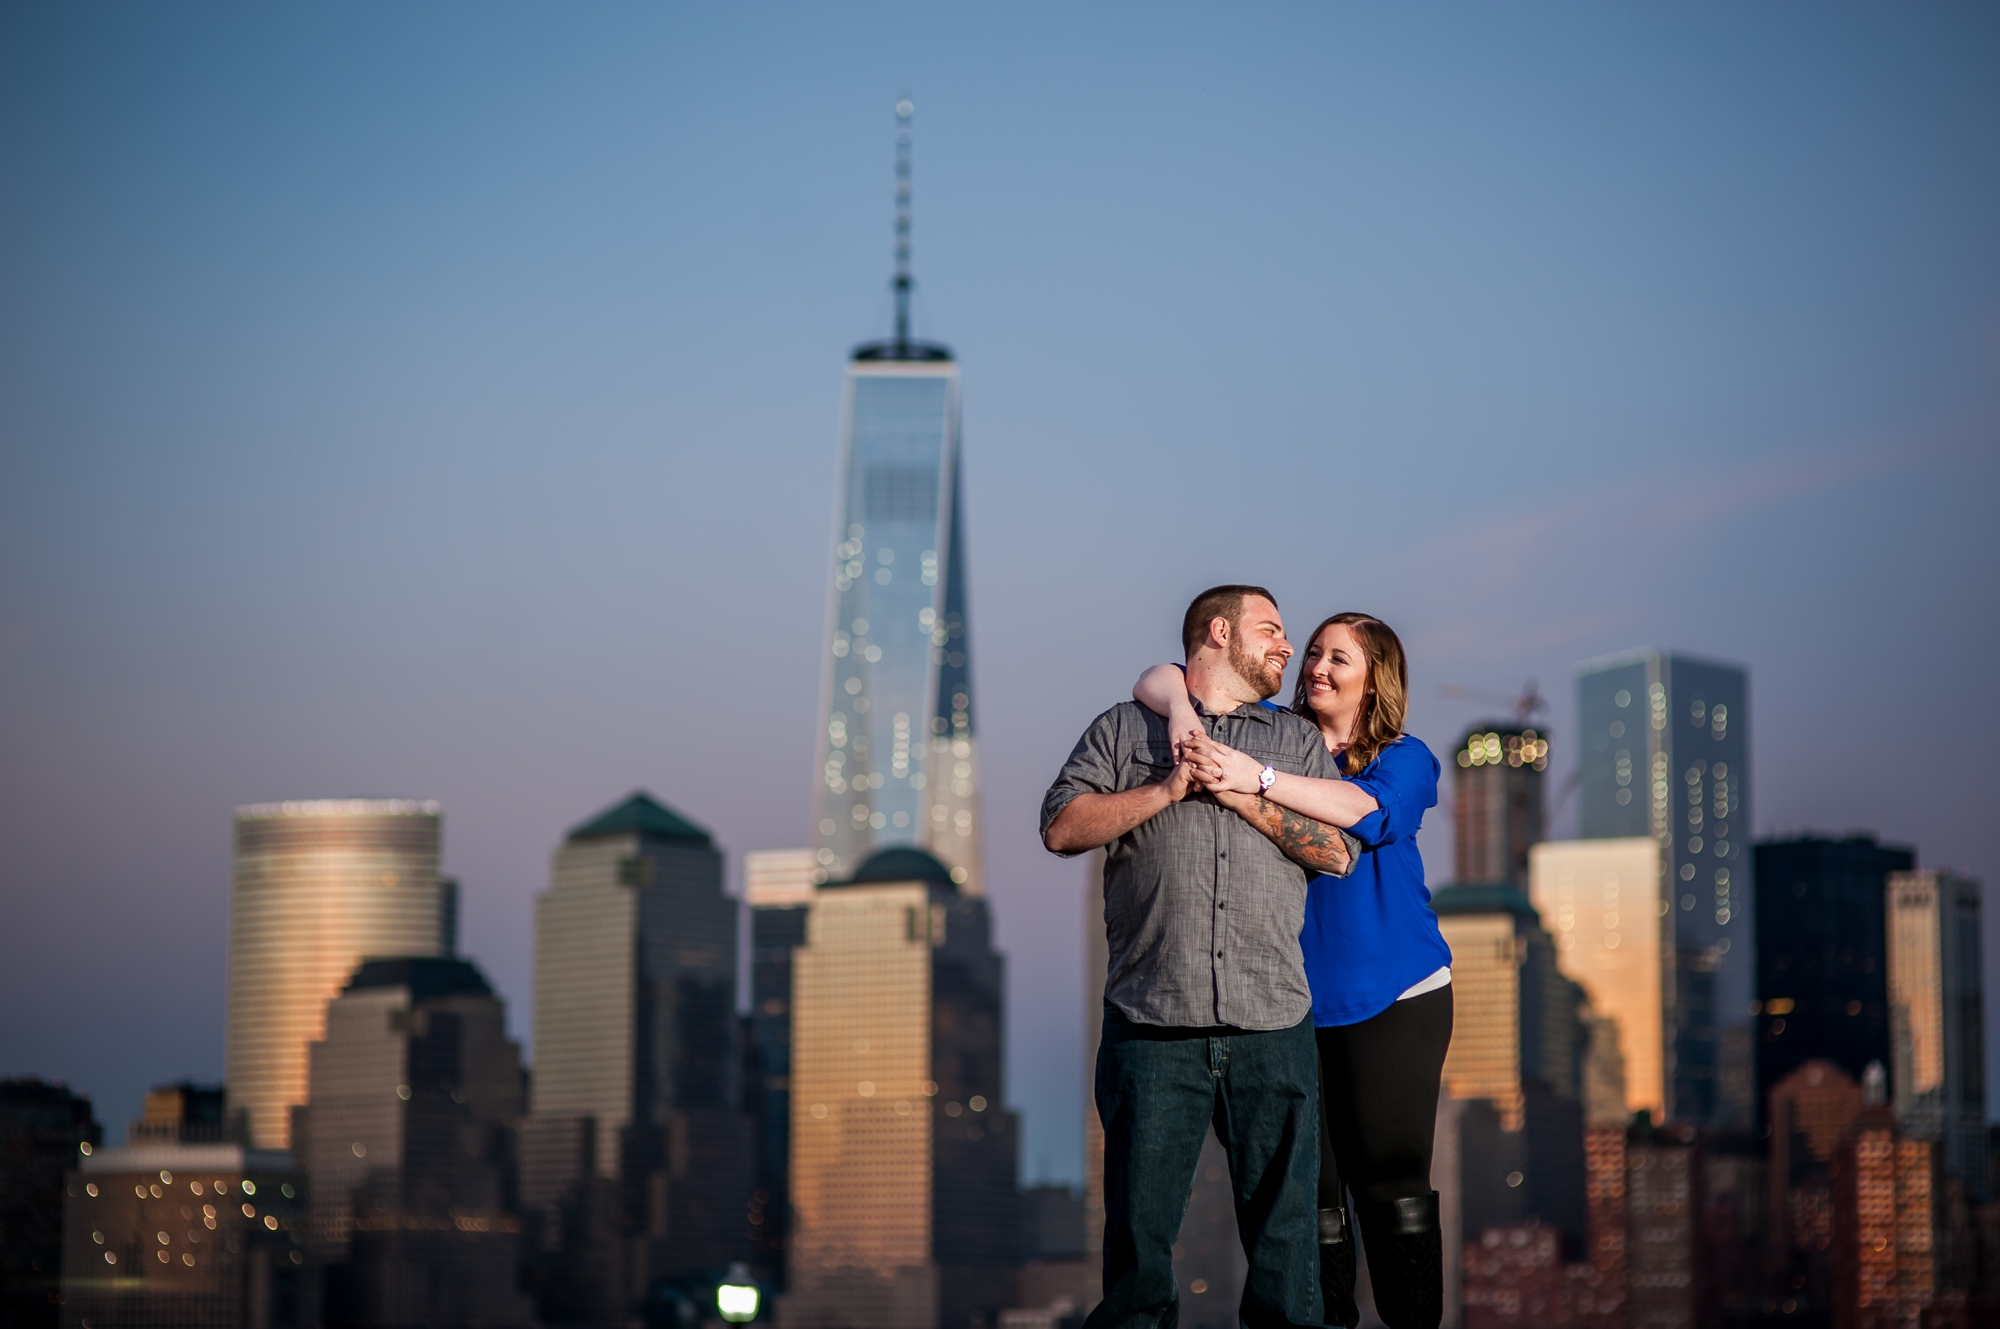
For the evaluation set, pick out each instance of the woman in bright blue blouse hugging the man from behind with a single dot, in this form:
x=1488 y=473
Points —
x=1379 y=968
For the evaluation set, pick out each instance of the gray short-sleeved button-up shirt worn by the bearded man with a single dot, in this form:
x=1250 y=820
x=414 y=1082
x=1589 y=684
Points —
x=1201 y=910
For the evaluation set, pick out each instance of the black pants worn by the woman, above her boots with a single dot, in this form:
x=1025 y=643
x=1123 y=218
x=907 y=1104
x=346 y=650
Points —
x=1379 y=1100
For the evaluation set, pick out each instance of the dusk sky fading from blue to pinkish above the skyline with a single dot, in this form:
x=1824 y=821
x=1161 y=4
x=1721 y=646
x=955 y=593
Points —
x=441 y=401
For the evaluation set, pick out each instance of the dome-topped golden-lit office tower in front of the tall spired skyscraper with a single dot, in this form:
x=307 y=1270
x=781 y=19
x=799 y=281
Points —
x=903 y=1158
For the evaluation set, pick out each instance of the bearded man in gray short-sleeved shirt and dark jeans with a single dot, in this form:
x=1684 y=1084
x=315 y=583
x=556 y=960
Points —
x=1207 y=1014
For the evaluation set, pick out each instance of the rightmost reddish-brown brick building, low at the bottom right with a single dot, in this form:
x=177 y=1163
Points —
x=1889 y=1196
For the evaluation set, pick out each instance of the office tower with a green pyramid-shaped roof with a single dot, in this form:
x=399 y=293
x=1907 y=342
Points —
x=639 y=1160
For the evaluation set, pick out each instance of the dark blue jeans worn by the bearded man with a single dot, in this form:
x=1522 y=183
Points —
x=1159 y=1094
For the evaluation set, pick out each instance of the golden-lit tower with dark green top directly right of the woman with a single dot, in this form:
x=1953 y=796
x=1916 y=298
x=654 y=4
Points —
x=1517 y=1044
